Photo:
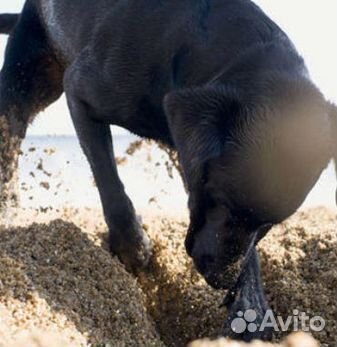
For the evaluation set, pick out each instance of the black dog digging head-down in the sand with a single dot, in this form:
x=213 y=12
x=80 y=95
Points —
x=216 y=80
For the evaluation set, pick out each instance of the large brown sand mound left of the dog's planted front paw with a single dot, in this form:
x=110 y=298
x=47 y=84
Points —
x=54 y=278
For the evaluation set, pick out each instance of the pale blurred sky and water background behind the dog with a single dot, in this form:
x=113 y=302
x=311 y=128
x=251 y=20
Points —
x=53 y=171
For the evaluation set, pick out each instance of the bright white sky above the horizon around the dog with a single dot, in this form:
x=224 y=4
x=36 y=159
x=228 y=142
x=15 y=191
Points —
x=311 y=24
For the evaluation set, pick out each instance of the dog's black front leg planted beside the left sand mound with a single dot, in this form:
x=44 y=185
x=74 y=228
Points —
x=126 y=236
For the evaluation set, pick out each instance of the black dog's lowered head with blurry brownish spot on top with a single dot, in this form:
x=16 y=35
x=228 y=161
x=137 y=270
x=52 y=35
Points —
x=249 y=160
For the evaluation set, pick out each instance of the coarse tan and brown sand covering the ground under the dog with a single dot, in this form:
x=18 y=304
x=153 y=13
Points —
x=58 y=276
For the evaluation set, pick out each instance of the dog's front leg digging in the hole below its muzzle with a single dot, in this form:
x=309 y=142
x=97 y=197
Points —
x=247 y=305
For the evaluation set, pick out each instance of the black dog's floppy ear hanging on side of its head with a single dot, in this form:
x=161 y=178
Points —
x=200 y=120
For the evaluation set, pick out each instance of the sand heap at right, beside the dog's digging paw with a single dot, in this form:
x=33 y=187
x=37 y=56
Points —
x=299 y=267
